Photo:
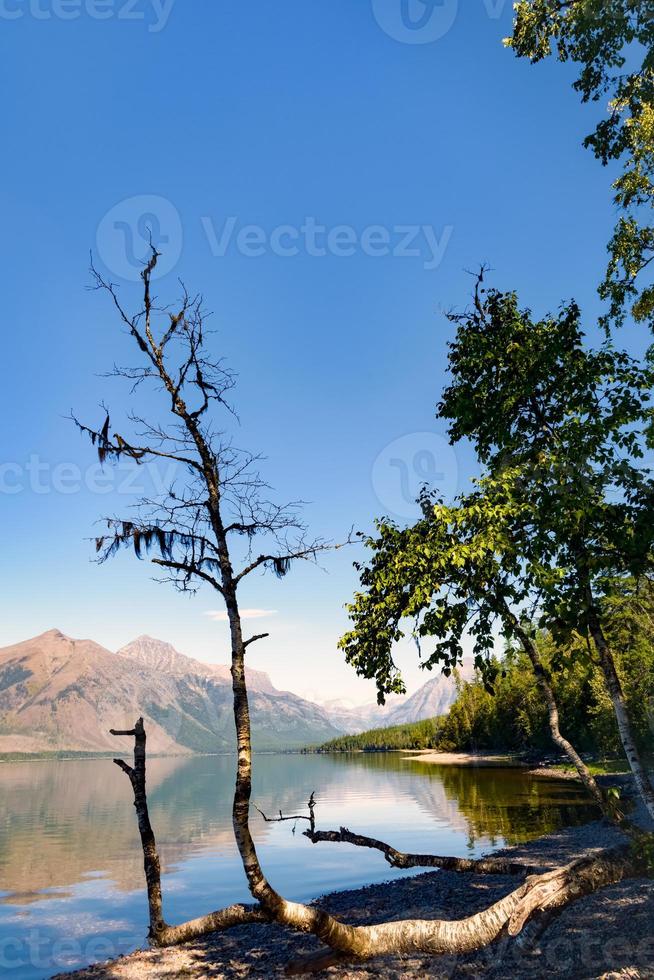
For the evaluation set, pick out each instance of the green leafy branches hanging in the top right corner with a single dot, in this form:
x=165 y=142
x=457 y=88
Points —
x=612 y=42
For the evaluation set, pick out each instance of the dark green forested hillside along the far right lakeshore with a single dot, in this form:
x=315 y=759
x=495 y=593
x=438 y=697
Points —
x=513 y=717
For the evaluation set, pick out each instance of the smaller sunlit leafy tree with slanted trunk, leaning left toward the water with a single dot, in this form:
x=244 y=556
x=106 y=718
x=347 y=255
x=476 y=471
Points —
x=456 y=573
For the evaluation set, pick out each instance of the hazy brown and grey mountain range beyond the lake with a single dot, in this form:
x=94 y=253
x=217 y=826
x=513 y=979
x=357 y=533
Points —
x=63 y=695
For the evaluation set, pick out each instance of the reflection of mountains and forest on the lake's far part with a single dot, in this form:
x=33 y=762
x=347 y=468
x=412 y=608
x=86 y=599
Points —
x=64 y=821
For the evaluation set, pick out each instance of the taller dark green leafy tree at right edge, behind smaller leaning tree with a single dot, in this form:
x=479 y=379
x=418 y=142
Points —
x=560 y=430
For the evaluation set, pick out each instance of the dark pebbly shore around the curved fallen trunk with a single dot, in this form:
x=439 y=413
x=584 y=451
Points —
x=609 y=934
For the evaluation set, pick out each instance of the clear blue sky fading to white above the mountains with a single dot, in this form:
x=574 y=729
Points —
x=376 y=161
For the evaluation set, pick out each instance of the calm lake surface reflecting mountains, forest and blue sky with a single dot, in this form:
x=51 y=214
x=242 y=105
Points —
x=71 y=880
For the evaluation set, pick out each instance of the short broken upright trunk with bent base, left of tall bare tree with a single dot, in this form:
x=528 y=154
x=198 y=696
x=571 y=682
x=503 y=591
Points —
x=160 y=933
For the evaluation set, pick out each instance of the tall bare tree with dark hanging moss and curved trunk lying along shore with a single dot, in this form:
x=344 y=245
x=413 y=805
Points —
x=192 y=531
